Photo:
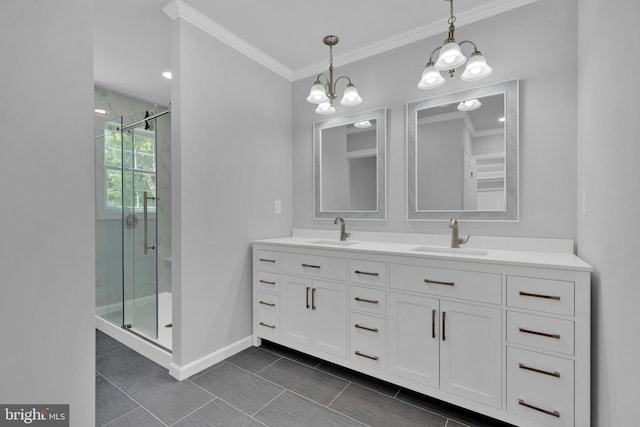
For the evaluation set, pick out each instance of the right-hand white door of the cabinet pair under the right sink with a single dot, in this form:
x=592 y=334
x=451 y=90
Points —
x=470 y=356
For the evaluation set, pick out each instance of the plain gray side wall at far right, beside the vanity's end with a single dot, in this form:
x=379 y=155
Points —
x=608 y=156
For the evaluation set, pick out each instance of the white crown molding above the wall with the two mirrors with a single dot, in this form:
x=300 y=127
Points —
x=479 y=13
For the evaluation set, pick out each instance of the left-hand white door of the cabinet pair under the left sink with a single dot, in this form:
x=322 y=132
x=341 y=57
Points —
x=296 y=309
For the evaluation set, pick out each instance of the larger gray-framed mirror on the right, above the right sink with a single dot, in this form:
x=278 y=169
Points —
x=462 y=155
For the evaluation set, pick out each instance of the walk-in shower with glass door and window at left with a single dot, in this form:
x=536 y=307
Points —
x=133 y=199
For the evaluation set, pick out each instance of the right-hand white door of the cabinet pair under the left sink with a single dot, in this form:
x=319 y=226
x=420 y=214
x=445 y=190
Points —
x=329 y=307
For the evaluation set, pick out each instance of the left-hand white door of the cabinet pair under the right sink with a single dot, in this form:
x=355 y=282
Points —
x=413 y=338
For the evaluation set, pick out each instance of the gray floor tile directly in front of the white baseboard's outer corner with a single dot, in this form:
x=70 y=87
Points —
x=167 y=398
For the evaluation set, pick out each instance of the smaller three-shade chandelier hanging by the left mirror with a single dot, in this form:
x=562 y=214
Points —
x=325 y=94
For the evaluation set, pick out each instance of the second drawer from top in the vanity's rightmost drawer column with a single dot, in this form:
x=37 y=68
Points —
x=541 y=332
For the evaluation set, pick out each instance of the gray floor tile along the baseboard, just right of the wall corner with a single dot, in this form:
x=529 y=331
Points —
x=240 y=388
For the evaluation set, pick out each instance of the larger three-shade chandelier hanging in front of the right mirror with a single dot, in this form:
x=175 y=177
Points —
x=451 y=57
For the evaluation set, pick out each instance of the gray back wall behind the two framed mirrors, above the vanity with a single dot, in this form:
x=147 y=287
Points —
x=517 y=48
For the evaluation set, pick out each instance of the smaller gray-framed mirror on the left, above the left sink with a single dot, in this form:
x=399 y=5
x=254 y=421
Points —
x=349 y=158
